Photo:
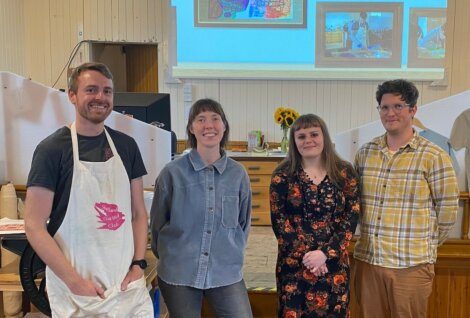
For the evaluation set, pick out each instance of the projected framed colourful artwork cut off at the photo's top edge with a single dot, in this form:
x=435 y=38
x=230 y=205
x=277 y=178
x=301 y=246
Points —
x=250 y=13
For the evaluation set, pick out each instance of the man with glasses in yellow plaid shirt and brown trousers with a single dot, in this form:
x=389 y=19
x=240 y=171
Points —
x=409 y=204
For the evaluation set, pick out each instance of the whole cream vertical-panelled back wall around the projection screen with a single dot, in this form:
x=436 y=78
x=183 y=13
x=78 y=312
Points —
x=37 y=37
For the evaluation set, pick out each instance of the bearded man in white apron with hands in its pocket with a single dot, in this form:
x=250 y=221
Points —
x=88 y=177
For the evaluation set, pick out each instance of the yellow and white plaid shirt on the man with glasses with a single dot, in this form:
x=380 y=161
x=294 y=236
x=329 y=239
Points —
x=409 y=202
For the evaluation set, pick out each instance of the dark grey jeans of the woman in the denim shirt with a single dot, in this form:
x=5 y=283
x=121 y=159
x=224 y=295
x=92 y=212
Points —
x=226 y=301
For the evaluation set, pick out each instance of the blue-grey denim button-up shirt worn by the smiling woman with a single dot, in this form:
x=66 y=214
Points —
x=200 y=219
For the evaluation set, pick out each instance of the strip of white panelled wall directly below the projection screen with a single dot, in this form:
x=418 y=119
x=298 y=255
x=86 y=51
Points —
x=250 y=104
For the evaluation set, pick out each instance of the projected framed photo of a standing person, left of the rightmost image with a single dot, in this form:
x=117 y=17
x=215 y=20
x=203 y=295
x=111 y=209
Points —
x=366 y=34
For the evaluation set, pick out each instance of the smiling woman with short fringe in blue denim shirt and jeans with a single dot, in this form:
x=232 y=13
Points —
x=200 y=219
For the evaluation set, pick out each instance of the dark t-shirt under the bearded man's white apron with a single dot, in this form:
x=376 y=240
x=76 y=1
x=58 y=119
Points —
x=52 y=165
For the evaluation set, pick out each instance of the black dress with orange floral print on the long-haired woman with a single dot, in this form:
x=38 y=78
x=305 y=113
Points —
x=306 y=217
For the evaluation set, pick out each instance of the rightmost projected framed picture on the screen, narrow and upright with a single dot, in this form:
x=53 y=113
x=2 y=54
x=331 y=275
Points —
x=427 y=37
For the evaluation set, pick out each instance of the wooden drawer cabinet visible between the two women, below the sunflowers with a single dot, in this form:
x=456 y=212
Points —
x=259 y=170
